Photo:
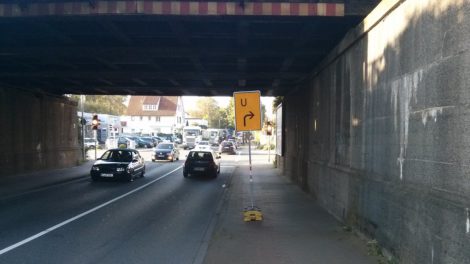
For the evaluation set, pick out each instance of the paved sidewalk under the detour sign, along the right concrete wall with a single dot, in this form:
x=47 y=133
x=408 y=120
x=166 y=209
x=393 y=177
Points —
x=294 y=229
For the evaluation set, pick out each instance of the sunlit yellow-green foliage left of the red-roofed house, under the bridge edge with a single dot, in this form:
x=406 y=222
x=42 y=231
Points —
x=103 y=104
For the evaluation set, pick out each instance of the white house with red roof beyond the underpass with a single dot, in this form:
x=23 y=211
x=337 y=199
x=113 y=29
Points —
x=150 y=115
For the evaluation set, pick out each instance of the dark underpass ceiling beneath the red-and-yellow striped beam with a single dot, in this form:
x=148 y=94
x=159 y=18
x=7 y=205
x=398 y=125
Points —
x=164 y=55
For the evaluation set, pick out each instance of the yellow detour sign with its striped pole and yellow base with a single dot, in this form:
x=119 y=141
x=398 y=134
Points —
x=248 y=118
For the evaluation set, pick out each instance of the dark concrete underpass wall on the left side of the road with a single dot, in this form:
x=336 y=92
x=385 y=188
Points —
x=37 y=132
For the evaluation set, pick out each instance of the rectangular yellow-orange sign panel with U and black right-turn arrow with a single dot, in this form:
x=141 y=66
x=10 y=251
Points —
x=247 y=110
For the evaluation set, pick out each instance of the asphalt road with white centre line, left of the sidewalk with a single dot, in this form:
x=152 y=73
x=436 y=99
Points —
x=161 y=218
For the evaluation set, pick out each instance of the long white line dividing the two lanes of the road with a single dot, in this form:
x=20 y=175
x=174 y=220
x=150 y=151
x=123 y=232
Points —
x=50 y=229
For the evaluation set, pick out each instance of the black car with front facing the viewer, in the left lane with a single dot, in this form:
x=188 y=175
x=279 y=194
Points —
x=125 y=164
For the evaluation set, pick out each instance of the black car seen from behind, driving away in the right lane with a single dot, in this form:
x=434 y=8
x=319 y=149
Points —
x=202 y=162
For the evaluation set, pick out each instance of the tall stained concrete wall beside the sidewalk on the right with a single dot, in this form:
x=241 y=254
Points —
x=380 y=135
